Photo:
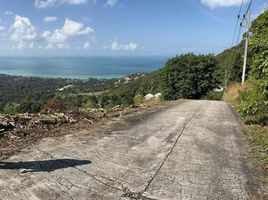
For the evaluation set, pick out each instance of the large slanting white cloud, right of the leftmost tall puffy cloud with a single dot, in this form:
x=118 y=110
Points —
x=69 y=29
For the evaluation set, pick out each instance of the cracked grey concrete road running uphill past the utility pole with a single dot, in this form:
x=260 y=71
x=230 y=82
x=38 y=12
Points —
x=183 y=150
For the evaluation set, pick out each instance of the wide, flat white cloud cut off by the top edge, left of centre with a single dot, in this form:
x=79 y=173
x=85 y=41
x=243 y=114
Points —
x=51 y=3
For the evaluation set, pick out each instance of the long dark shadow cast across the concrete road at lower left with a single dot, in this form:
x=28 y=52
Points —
x=43 y=165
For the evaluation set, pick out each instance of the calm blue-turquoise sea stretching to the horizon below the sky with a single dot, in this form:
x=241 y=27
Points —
x=80 y=67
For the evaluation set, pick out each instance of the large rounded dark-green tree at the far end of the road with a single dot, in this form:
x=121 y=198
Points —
x=188 y=76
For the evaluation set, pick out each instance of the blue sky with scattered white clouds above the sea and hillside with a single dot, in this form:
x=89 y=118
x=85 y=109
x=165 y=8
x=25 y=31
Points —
x=117 y=27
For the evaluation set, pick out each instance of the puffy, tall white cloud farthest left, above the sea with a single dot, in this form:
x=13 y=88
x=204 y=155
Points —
x=23 y=29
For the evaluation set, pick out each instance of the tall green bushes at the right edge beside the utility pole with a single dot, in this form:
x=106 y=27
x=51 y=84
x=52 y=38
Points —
x=253 y=101
